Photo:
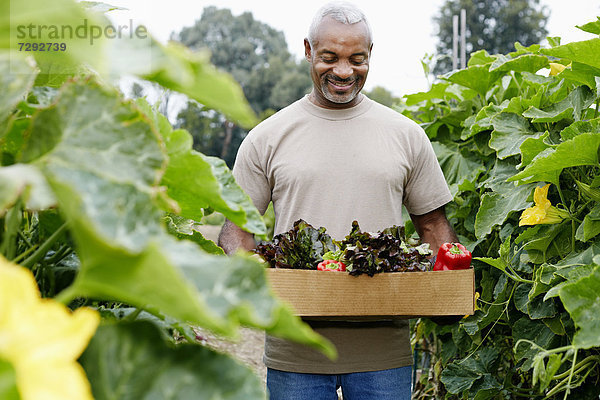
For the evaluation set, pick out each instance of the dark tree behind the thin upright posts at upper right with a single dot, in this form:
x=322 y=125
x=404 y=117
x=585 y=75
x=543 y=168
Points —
x=493 y=26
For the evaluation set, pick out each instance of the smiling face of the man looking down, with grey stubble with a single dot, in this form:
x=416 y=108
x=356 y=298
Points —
x=339 y=62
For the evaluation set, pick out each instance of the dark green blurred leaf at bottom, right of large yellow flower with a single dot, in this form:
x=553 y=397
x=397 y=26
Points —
x=131 y=361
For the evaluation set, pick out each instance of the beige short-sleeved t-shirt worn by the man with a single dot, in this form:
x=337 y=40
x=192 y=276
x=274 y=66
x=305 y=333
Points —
x=331 y=167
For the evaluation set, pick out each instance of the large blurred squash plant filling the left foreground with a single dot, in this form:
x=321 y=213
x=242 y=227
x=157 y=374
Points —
x=99 y=200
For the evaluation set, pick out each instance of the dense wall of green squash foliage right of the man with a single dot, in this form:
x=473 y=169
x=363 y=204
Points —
x=504 y=126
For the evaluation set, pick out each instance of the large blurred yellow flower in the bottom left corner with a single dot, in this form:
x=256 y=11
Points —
x=42 y=338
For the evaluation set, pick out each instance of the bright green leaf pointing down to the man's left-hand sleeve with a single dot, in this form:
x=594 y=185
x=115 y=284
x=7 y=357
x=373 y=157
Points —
x=197 y=181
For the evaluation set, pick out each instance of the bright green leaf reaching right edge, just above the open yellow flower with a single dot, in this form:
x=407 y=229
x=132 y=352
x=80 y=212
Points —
x=581 y=150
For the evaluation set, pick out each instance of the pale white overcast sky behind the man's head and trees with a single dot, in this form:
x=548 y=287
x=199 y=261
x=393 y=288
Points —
x=403 y=30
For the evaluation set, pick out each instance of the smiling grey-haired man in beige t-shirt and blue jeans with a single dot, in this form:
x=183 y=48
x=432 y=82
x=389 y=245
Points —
x=332 y=157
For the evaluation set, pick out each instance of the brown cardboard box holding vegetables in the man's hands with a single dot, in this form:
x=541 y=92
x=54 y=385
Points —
x=398 y=294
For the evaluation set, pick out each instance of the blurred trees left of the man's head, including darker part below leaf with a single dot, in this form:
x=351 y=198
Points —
x=258 y=58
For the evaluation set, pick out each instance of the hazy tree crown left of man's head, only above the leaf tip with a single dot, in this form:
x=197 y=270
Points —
x=253 y=52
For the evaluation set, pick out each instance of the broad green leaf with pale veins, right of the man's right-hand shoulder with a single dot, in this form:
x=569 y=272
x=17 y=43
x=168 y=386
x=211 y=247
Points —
x=510 y=131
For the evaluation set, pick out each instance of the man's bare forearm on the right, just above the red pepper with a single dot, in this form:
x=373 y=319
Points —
x=434 y=228
